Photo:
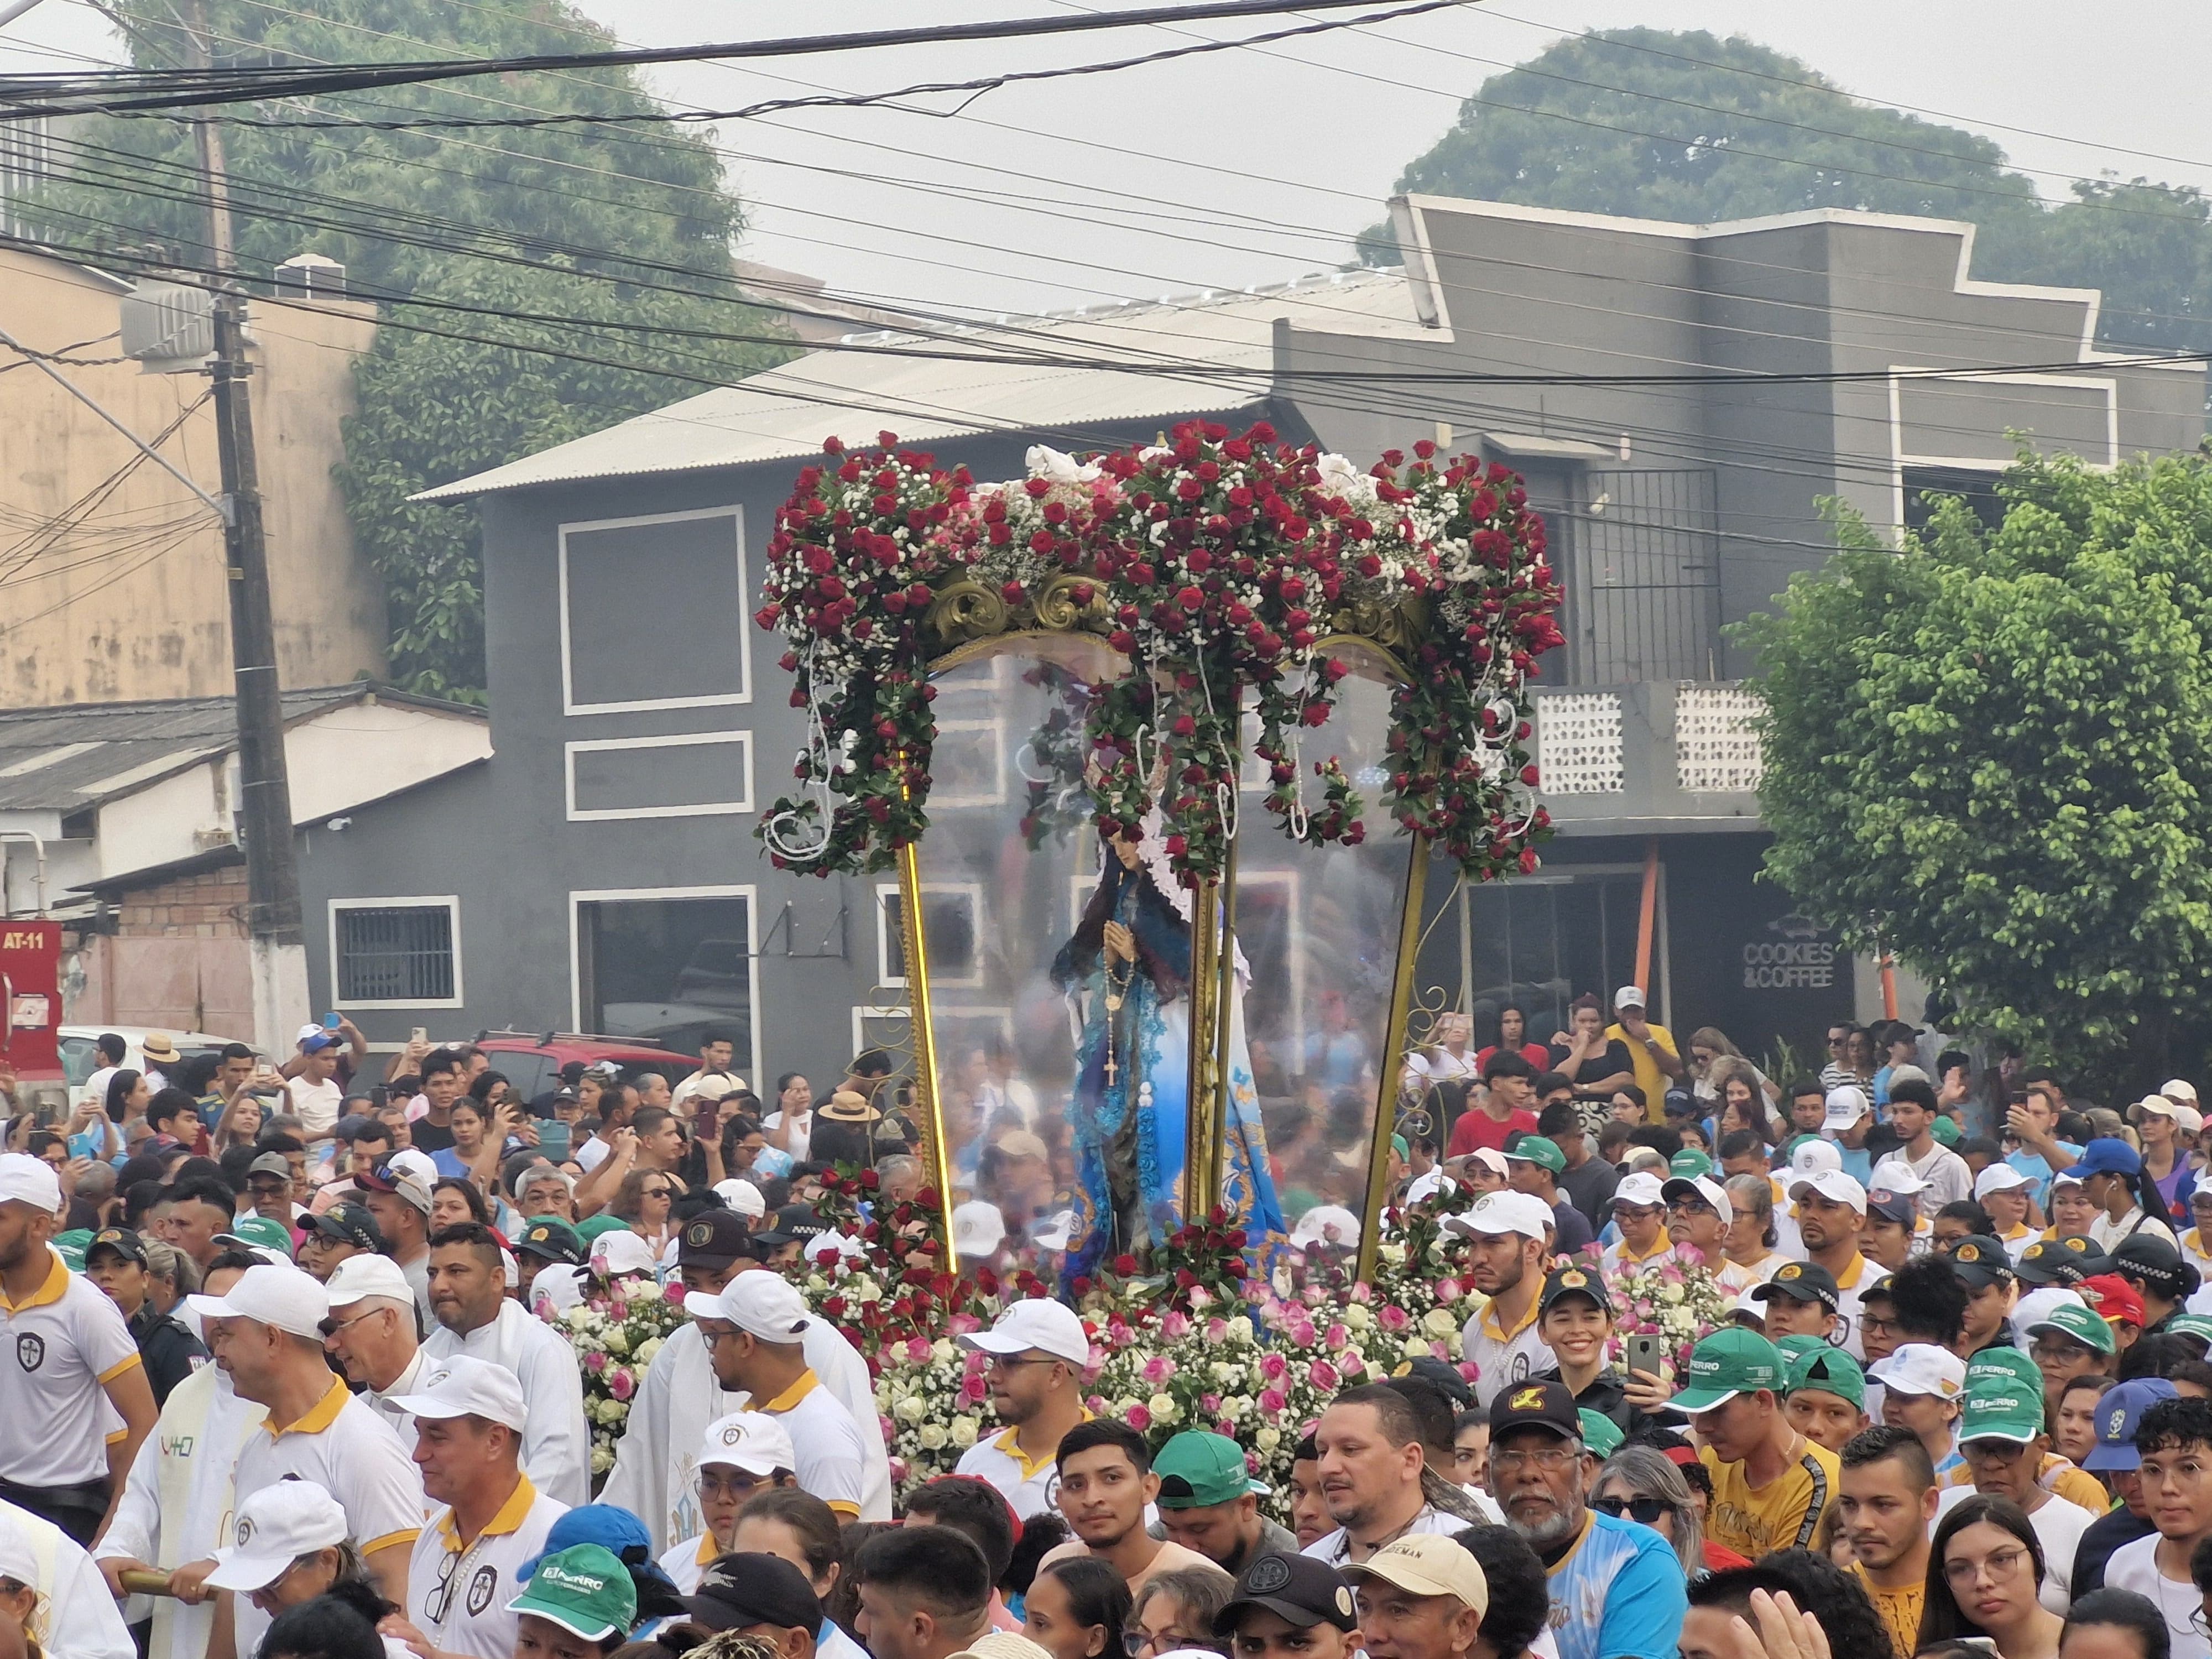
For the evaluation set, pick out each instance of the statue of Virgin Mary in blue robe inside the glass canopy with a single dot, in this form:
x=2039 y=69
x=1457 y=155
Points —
x=1127 y=979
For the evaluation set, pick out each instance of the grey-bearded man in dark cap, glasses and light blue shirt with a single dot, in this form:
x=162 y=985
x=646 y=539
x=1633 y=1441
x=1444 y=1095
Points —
x=1616 y=1585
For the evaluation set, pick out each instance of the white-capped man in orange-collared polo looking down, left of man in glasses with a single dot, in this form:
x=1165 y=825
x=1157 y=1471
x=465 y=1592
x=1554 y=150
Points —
x=269 y=1333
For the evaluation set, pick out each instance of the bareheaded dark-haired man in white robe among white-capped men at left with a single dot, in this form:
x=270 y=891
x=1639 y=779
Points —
x=477 y=1317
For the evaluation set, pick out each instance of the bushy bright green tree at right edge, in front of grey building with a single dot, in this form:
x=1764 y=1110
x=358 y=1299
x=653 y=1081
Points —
x=1996 y=751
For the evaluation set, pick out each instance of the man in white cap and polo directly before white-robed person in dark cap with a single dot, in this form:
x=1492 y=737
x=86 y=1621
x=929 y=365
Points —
x=755 y=1335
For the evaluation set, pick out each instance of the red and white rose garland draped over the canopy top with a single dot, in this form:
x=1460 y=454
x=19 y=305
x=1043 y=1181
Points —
x=1215 y=565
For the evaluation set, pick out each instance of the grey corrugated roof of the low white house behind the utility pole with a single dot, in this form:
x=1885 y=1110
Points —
x=61 y=760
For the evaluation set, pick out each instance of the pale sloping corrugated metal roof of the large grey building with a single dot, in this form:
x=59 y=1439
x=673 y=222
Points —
x=786 y=413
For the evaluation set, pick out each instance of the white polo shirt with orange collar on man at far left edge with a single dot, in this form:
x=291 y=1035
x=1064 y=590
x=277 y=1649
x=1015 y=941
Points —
x=59 y=1353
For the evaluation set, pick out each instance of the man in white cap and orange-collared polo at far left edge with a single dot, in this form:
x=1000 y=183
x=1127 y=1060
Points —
x=65 y=1359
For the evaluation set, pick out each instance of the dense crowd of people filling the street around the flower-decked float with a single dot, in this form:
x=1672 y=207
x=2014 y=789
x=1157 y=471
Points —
x=284 y=1379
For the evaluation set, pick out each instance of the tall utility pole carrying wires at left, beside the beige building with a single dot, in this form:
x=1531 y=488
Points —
x=273 y=910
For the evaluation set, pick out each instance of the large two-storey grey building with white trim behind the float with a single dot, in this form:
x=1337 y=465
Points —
x=601 y=873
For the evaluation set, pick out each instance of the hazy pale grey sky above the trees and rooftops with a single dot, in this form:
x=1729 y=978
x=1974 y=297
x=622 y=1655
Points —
x=1260 y=165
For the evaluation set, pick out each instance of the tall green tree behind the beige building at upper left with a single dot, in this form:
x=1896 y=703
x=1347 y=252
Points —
x=620 y=233
